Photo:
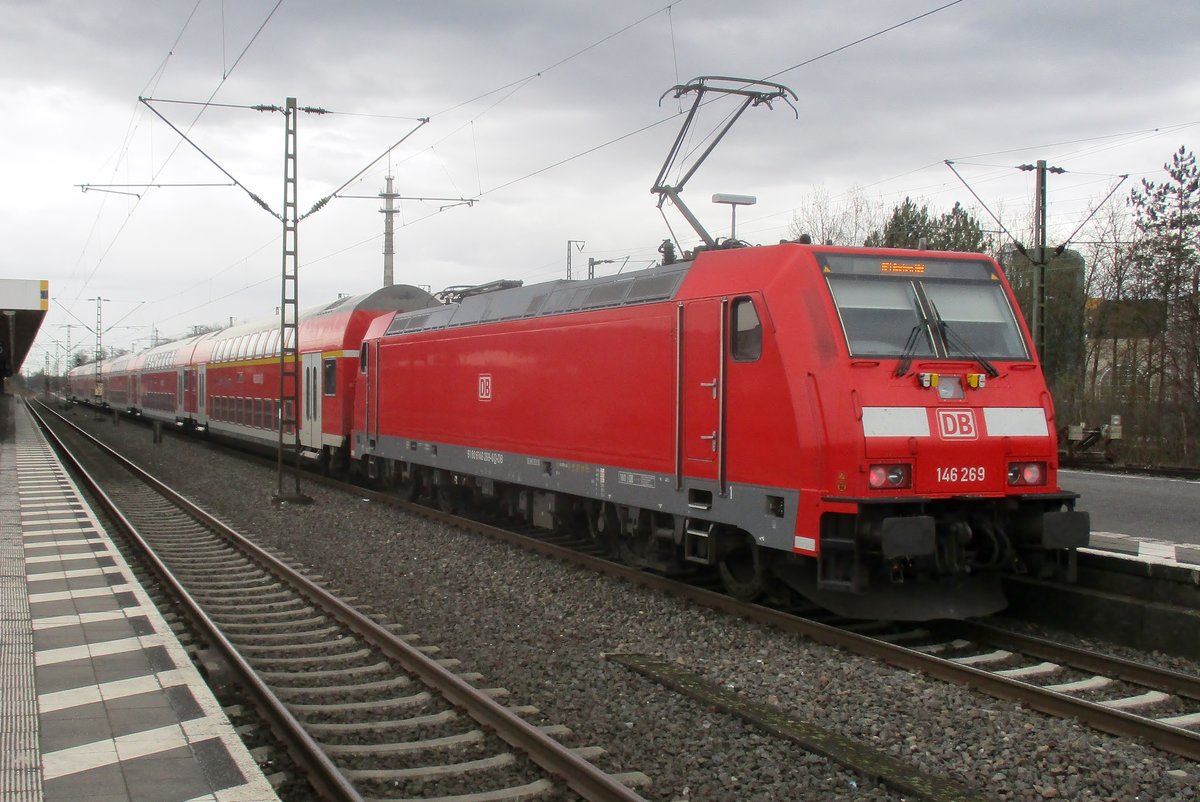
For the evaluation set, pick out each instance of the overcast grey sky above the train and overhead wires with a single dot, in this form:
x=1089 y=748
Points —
x=548 y=113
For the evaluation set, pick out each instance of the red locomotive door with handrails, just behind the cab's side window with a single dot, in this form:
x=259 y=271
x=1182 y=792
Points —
x=701 y=370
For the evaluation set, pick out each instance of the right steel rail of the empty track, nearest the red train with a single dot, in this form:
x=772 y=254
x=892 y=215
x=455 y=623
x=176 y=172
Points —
x=554 y=758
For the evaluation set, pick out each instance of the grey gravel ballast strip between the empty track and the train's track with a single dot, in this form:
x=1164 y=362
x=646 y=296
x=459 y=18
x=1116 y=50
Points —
x=542 y=630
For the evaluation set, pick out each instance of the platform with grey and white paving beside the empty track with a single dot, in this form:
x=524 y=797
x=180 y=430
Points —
x=99 y=701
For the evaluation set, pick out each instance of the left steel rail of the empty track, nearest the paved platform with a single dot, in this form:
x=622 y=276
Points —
x=322 y=774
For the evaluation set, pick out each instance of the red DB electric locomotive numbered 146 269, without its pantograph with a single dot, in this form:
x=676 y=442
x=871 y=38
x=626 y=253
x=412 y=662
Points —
x=871 y=428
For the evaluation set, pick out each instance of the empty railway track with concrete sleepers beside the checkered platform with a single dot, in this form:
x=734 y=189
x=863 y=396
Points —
x=363 y=713
